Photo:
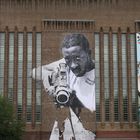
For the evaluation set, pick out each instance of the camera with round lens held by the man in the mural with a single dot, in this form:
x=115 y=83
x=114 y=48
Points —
x=62 y=91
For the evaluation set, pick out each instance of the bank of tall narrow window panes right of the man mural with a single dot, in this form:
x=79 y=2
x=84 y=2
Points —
x=115 y=58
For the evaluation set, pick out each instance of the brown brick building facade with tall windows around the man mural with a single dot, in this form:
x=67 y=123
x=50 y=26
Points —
x=30 y=35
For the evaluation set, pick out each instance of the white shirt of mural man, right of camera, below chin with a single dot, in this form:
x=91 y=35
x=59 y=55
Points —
x=84 y=87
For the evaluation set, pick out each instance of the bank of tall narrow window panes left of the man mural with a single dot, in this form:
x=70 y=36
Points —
x=19 y=71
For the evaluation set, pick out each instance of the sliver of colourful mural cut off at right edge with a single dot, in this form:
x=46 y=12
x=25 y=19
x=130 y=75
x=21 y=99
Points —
x=138 y=71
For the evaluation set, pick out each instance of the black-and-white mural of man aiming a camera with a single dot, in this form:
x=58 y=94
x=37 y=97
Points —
x=70 y=81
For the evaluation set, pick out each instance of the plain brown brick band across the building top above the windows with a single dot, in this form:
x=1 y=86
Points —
x=115 y=13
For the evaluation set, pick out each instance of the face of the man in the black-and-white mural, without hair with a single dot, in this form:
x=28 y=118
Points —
x=77 y=59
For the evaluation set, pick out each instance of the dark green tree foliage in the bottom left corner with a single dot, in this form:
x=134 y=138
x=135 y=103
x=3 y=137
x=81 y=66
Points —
x=9 y=125
